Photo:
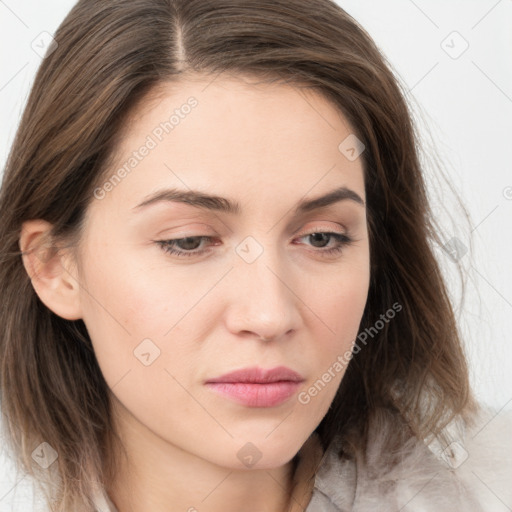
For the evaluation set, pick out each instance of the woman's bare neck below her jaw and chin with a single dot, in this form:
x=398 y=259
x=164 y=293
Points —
x=158 y=476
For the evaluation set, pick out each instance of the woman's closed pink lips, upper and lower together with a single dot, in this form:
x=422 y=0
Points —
x=257 y=387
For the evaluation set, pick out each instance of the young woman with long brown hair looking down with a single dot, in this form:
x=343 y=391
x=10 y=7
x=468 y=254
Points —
x=217 y=269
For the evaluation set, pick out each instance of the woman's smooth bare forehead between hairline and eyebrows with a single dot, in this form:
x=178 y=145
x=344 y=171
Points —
x=234 y=137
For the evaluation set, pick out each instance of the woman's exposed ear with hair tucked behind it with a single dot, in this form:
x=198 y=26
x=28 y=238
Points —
x=52 y=270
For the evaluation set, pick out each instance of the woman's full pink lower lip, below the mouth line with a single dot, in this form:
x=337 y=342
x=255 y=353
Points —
x=256 y=395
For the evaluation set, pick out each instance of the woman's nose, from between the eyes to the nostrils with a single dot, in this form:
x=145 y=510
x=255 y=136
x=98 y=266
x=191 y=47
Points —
x=262 y=303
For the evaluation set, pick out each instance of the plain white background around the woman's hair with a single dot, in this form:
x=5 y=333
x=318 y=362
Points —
x=466 y=109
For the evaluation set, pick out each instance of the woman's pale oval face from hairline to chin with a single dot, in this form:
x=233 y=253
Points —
x=251 y=286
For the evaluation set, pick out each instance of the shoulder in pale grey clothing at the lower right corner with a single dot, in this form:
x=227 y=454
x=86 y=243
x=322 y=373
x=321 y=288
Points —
x=473 y=472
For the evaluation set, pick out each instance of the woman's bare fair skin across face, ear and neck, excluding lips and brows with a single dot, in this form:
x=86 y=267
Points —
x=267 y=147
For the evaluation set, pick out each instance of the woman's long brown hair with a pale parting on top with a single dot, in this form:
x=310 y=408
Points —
x=110 y=55
